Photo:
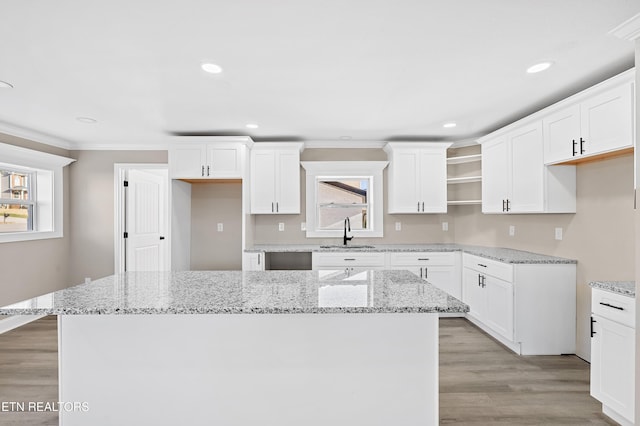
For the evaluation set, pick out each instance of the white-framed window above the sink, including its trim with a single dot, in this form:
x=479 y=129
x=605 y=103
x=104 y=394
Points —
x=341 y=190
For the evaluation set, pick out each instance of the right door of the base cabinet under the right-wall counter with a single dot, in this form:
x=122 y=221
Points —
x=499 y=313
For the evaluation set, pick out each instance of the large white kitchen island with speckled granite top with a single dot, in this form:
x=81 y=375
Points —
x=244 y=348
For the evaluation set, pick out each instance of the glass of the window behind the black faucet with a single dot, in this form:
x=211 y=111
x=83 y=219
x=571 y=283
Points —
x=339 y=198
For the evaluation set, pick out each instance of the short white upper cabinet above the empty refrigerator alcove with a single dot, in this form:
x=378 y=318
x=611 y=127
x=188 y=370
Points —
x=211 y=159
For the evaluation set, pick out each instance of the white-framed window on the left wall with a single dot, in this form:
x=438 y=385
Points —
x=30 y=194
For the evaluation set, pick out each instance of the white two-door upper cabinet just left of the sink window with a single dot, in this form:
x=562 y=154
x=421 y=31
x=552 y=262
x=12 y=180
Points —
x=275 y=178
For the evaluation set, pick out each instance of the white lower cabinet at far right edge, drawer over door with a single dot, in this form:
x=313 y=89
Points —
x=613 y=354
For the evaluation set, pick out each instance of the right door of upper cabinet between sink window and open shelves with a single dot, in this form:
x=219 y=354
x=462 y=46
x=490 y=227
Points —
x=433 y=184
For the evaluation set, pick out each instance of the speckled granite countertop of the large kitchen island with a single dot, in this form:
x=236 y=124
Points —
x=237 y=292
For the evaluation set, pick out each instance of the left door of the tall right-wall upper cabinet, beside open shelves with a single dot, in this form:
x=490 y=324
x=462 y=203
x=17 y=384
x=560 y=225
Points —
x=495 y=171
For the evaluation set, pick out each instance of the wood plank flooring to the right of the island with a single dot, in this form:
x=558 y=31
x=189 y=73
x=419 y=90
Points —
x=483 y=383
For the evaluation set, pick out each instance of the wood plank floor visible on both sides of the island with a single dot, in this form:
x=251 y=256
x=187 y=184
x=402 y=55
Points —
x=481 y=382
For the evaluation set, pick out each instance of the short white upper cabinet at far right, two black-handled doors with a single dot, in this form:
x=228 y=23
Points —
x=596 y=121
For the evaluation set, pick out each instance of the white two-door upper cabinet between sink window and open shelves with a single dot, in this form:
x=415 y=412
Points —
x=417 y=180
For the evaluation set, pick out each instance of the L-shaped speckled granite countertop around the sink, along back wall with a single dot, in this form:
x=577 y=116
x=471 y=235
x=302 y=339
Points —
x=501 y=254
